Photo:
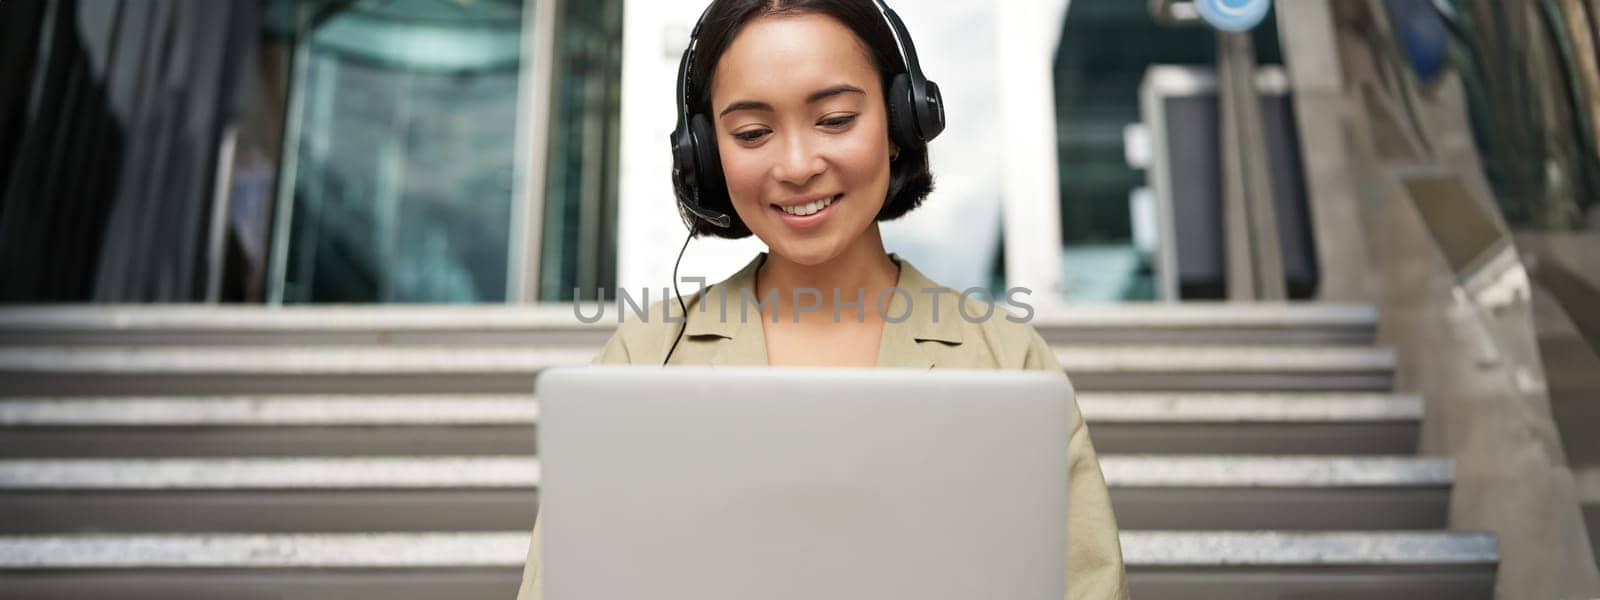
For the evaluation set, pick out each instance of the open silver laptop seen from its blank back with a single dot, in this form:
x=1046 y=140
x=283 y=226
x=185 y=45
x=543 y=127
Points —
x=738 y=484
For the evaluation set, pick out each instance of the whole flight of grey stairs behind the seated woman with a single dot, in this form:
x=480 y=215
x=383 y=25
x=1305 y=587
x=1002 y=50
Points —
x=1254 y=452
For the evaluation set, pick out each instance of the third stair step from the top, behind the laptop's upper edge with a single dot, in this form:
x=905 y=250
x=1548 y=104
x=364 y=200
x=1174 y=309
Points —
x=503 y=425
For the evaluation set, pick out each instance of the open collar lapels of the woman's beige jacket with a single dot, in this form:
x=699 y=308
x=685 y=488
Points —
x=719 y=313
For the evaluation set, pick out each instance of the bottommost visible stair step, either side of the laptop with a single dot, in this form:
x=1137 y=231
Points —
x=420 y=566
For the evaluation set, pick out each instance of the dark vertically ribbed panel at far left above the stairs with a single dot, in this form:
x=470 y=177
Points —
x=106 y=182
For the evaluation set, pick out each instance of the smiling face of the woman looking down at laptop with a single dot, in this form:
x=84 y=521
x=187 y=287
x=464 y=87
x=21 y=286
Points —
x=802 y=134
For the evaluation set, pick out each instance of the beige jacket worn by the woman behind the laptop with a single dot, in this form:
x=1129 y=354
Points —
x=930 y=338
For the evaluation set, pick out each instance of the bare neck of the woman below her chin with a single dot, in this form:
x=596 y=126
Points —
x=865 y=266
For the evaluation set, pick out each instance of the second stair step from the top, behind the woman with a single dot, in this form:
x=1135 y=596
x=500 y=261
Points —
x=511 y=370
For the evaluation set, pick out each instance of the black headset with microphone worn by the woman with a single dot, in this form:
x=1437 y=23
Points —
x=916 y=116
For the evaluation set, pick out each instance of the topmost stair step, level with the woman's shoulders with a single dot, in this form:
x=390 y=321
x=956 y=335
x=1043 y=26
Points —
x=543 y=326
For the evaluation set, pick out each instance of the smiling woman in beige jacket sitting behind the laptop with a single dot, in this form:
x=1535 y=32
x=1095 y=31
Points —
x=812 y=159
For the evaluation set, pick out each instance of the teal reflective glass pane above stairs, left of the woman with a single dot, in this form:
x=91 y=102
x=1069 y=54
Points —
x=402 y=169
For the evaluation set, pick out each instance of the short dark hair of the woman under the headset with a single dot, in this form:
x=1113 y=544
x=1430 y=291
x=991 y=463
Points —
x=910 y=175
